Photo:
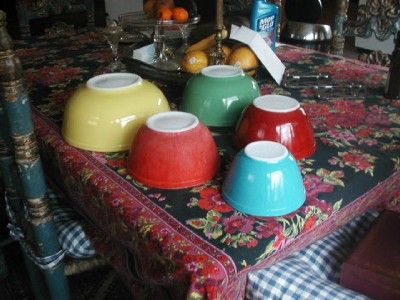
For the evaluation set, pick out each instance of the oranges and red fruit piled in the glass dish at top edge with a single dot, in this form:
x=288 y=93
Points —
x=166 y=10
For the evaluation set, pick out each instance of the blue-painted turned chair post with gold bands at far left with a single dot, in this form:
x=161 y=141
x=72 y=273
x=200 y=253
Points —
x=16 y=106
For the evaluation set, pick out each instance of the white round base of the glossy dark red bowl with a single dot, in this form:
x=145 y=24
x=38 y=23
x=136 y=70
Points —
x=276 y=103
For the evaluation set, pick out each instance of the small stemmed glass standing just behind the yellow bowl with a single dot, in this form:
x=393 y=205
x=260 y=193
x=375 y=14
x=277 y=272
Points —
x=113 y=34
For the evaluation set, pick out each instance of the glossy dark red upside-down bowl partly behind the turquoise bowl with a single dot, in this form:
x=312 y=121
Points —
x=280 y=119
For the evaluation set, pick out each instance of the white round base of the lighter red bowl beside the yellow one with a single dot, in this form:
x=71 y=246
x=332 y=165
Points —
x=172 y=122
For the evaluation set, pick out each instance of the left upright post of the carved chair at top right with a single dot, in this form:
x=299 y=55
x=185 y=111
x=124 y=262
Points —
x=338 y=37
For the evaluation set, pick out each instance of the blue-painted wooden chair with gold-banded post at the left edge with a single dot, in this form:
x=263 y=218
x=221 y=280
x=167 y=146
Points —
x=25 y=184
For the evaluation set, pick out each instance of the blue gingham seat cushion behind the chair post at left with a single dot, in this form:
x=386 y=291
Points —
x=71 y=235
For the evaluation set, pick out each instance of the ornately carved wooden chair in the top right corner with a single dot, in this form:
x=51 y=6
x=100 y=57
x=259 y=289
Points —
x=380 y=19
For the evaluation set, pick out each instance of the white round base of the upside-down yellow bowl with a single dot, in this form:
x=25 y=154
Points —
x=113 y=81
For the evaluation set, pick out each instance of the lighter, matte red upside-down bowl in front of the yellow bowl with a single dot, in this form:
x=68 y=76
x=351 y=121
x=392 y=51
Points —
x=172 y=151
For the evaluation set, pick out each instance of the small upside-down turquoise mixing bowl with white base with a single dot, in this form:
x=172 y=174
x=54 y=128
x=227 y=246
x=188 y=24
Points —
x=264 y=180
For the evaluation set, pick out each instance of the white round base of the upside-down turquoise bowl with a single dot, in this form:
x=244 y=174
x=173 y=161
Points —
x=266 y=151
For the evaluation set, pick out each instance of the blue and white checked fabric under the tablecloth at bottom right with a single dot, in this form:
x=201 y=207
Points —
x=312 y=273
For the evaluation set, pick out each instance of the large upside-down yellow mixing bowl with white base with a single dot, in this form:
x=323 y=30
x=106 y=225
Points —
x=105 y=114
